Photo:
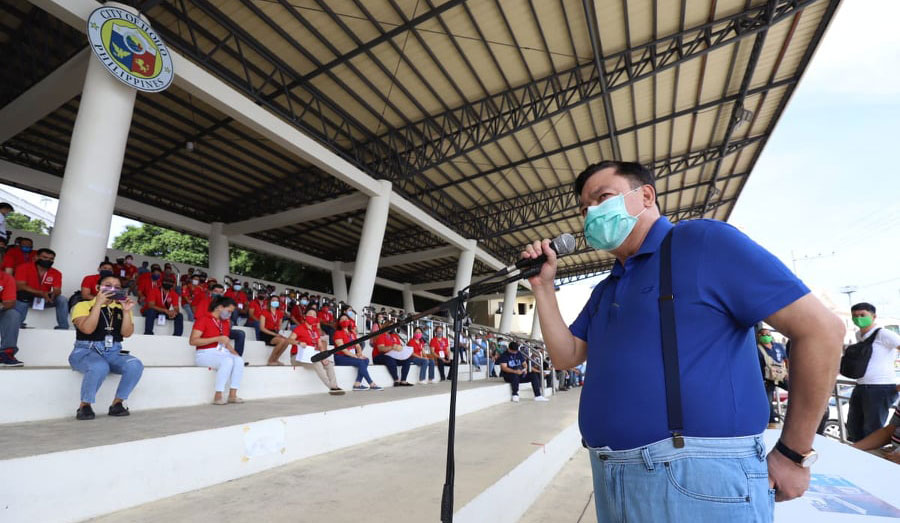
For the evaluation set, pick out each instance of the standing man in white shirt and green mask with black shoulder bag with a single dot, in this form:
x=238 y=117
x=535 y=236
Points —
x=876 y=391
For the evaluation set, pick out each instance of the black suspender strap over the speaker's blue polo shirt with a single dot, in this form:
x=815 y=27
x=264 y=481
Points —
x=670 y=343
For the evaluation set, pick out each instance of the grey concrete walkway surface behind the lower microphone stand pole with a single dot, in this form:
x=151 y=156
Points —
x=398 y=478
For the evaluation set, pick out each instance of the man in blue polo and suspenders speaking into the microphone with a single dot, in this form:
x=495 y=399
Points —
x=690 y=451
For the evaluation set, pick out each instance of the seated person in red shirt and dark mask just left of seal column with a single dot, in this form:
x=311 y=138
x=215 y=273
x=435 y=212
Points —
x=40 y=286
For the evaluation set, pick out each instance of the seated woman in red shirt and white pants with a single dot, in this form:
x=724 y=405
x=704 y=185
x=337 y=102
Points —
x=211 y=336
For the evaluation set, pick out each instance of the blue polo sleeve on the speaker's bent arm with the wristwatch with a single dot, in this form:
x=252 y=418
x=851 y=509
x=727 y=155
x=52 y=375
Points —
x=746 y=280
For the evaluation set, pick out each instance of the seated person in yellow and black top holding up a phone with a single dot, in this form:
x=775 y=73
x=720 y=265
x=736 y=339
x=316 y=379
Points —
x=101 y=324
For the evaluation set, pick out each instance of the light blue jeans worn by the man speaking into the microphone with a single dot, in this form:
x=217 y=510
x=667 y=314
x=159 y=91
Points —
x=709 y=480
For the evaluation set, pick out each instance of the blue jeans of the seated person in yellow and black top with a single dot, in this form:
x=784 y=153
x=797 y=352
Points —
x=92 y=359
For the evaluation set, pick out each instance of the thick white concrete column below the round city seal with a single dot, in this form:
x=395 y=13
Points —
x=87 y=196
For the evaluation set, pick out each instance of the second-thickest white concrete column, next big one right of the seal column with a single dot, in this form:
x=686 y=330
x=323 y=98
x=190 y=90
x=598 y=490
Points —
x=369 y=251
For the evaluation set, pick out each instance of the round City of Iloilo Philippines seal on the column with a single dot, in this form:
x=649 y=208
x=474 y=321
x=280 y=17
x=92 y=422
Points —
x=130 y=49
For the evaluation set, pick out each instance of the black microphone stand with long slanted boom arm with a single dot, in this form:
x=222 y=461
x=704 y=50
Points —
x=457 y=308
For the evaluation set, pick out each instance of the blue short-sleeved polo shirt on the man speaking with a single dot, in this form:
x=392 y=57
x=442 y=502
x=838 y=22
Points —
x=724 y=283
